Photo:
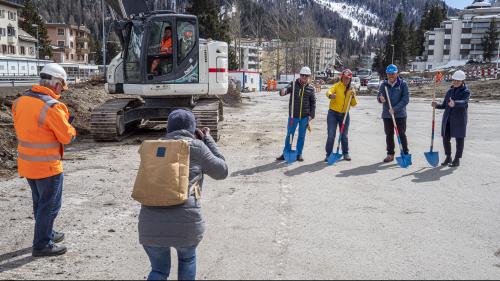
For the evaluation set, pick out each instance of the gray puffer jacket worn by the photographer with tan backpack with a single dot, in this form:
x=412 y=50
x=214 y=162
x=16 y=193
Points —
x=183 y=225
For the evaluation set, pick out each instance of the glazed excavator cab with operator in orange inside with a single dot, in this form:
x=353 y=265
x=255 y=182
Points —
x=161 y=48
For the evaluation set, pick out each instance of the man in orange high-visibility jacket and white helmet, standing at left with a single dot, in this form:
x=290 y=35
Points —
x=42 y=125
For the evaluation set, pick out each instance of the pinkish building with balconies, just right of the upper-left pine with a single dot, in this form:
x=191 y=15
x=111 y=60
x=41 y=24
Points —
x=70 y=43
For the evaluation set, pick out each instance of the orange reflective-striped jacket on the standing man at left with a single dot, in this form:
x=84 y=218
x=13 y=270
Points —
x=42 y=129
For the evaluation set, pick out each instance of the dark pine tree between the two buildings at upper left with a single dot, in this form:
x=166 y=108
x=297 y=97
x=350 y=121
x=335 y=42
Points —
x=29 y=17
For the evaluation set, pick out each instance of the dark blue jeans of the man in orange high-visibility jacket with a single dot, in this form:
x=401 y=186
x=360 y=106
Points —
x=47 y=200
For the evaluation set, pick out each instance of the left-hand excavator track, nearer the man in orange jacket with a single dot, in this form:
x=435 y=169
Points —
x=107 y=122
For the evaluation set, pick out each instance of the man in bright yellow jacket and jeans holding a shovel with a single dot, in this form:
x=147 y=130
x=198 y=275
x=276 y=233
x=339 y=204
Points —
x=339 y=96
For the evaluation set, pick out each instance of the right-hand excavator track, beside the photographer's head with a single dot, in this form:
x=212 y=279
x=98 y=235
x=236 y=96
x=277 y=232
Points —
x=208 y=114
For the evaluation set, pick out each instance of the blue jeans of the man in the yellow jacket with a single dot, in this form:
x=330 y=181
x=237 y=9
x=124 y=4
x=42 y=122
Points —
x=334 y=120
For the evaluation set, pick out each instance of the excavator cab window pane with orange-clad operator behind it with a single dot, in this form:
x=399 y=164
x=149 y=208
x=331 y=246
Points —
x=160 y=51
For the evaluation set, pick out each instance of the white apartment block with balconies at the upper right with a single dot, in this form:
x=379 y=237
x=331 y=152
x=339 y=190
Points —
x=459 y=39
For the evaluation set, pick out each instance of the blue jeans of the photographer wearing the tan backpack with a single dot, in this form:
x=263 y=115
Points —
x=160 y=262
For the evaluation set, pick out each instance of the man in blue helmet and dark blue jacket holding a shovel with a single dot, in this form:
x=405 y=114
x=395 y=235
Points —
x=400 y=97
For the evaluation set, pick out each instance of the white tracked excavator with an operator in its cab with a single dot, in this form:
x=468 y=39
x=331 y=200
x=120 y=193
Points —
x=164 y=66
